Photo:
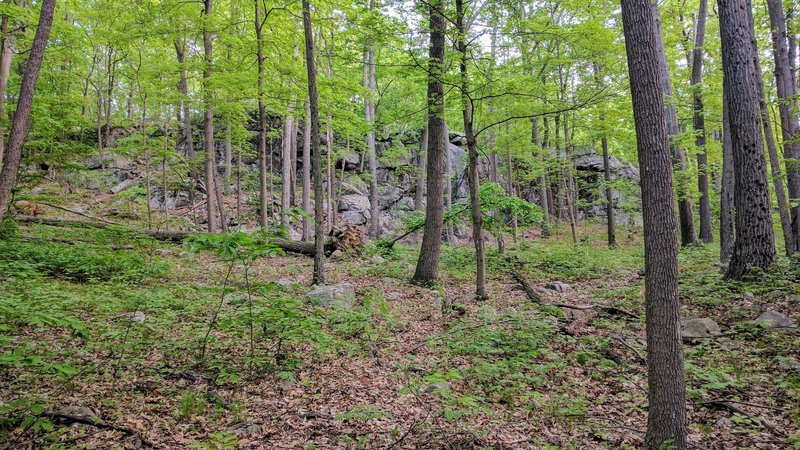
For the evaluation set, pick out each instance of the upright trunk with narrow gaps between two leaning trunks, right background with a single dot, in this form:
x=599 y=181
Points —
x=699 y=125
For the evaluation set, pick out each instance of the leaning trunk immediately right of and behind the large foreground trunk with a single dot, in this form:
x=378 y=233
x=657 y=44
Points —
x=688 y=236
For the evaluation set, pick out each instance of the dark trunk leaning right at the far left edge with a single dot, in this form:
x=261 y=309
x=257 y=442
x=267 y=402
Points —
x=22 y=115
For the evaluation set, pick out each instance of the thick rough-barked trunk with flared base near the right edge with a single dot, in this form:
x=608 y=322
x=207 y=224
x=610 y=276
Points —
x=754 y=246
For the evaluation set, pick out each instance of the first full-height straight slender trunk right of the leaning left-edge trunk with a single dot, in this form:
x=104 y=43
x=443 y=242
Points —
x=209 y=115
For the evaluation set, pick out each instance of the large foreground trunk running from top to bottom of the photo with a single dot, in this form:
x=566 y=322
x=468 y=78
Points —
x=666 y=421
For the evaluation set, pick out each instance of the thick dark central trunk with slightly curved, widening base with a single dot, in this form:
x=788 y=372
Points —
x=428 y=264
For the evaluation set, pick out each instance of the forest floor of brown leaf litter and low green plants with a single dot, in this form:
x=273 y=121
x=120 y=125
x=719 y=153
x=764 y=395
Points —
x=94 y=331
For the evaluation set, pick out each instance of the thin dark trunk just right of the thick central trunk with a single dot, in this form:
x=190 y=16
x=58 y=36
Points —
x=472 y=148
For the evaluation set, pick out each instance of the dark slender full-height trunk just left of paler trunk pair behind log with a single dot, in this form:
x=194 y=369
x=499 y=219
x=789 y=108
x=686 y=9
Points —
x=262 y=120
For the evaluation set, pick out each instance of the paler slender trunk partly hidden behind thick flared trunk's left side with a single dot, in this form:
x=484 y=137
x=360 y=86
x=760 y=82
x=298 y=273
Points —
x=726 y=219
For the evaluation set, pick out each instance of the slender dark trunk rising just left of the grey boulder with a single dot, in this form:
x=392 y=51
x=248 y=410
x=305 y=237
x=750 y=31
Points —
x=319 y=251
